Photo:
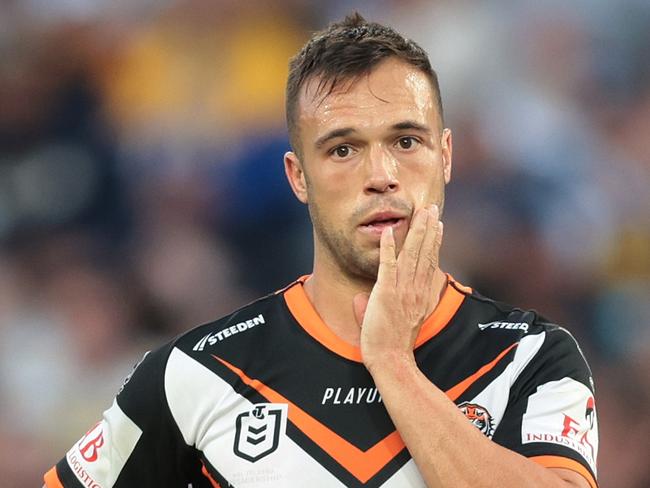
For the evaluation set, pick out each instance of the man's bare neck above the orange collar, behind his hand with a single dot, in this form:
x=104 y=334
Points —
x=331 y=292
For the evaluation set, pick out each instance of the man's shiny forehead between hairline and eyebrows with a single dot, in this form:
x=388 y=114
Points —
x=392 y=92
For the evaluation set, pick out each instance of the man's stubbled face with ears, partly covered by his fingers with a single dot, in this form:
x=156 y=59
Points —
x=372 y=152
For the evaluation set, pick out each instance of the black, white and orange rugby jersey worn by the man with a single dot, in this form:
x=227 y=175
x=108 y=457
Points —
x=270 y=396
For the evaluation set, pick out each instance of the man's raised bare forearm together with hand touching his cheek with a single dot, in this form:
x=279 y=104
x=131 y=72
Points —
x=447 y=449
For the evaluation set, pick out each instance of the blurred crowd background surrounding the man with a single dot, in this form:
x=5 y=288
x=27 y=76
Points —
x=142 y=190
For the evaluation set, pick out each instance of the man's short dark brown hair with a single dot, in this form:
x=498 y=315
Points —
x=345 y=51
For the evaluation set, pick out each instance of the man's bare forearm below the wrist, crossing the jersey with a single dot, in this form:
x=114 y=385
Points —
x=447 y=449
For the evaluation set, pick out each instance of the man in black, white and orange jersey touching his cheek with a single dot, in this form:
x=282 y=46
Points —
x=378 y=369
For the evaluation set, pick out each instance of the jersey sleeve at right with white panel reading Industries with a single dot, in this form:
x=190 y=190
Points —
x=551 y=413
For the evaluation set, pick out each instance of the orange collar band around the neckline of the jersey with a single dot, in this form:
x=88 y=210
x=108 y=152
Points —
x=308 y=318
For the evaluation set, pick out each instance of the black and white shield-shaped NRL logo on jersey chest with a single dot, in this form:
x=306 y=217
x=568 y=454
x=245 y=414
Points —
x=258 y=431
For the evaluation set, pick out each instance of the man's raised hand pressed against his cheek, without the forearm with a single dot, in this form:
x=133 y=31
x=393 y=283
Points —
x=403 y=297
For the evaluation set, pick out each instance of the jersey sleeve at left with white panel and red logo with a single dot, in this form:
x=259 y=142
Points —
x=136 y=443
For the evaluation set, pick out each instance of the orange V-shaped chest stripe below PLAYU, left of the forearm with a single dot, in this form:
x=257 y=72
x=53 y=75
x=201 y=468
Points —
x=363 y=465
